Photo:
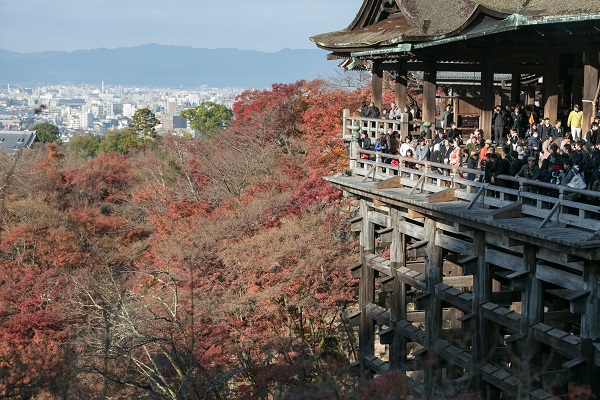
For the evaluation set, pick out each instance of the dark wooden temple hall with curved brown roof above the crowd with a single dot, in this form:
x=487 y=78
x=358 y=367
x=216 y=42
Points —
x=553 y=44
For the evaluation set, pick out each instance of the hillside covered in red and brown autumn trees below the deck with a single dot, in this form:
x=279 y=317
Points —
x=184 y=268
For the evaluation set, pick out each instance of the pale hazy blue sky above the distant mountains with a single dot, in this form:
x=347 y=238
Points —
x=268 y=25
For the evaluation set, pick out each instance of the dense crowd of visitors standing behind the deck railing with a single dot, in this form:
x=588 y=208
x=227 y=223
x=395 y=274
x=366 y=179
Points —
x=524 y=145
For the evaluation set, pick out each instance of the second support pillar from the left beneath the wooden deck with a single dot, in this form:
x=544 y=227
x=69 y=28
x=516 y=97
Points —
x=397 y=359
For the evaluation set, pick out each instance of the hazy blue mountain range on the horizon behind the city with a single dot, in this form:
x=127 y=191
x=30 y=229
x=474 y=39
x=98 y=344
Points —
x=165 y=66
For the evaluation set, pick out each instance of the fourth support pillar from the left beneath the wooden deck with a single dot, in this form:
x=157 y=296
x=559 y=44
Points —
x=482 y=292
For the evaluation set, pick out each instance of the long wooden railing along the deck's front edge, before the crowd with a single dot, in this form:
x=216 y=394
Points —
x=549 y=202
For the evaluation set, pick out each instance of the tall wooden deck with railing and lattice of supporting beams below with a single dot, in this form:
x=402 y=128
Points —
x=493 y=289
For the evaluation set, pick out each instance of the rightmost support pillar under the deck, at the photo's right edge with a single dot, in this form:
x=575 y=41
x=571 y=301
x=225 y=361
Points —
x=590 y=324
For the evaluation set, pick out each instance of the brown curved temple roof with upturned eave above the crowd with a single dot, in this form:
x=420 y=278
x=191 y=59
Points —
x=426 y=20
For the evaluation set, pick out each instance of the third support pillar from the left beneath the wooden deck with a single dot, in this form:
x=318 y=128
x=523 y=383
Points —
x=433 y=311
